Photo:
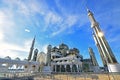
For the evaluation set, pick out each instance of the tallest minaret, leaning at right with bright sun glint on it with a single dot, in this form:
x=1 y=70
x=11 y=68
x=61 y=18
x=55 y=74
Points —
x=102 y=44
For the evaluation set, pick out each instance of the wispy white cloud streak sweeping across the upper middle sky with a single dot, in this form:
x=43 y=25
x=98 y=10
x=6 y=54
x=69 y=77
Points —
x=59 y=22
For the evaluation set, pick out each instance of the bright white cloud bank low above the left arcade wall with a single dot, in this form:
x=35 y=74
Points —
x=14 y=50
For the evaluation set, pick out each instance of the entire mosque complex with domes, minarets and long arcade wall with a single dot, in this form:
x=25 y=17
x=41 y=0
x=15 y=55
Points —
x=65 y=59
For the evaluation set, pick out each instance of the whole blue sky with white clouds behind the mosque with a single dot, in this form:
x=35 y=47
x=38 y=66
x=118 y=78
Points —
x=54 y=22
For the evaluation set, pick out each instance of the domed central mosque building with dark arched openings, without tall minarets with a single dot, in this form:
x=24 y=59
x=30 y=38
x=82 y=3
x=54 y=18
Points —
x=63 y=59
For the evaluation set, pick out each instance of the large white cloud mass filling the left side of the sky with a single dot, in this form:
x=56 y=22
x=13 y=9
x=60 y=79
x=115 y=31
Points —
x=9 y=26
